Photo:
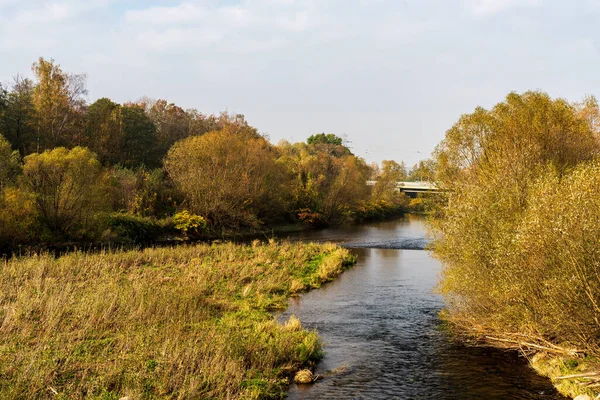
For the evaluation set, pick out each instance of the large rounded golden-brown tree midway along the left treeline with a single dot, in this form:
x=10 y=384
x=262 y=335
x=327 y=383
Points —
x=227 y=177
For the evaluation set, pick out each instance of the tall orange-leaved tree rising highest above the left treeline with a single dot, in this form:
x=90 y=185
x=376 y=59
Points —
x=58 y=98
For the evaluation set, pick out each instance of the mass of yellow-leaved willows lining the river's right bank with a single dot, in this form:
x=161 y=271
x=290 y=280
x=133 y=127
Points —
x=518 y=236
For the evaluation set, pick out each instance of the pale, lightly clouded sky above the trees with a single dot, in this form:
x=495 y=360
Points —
x=390 y=76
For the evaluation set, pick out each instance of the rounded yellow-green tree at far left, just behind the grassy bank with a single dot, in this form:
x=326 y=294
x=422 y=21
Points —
x=68 y=189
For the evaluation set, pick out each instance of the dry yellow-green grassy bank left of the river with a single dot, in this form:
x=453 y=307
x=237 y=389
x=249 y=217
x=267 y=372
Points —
x=181 y=323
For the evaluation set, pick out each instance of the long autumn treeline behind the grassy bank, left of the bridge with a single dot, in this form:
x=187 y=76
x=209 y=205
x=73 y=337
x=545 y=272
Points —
x=72 y=171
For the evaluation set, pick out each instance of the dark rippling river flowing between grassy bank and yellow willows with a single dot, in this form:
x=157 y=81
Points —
x=381 y=331
